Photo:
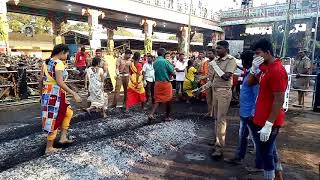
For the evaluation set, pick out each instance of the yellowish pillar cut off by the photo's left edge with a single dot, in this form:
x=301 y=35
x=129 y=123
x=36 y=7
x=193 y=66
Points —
x=4 y=27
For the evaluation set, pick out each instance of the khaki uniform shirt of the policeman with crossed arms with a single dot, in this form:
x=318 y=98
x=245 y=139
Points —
x=226 y=64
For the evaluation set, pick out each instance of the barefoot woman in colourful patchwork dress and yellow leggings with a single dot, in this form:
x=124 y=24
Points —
x=55 y=109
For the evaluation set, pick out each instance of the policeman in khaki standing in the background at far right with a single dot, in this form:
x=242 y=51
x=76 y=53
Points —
x=302 y=66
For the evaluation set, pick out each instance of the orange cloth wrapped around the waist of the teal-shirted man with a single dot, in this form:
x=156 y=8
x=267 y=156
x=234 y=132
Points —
x=162 y=91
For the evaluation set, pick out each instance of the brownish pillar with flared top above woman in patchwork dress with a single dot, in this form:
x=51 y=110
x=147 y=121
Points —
x=56 y=28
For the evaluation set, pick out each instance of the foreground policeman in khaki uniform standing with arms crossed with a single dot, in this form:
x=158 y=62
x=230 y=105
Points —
x=224 y=66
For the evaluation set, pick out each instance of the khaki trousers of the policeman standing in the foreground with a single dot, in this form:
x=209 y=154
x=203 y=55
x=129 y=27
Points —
x=221 y=102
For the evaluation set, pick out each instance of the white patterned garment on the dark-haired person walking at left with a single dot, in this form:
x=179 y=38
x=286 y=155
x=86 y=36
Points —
x=97 y=97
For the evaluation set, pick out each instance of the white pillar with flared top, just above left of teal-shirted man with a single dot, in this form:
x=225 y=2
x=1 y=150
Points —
x=148 y=32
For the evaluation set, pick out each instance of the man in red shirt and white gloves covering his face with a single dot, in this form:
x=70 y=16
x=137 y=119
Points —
x=269 y=115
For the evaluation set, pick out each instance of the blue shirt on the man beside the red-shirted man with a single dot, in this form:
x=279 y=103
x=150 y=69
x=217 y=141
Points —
x=248 y=96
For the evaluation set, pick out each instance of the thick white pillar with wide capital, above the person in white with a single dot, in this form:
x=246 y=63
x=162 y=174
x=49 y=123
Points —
x=93 y=20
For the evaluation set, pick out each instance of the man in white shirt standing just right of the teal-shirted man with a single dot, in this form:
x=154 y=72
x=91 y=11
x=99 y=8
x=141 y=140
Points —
x=180 y=68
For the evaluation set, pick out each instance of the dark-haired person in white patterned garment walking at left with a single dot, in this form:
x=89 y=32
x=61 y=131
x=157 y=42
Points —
x=97 y=98
